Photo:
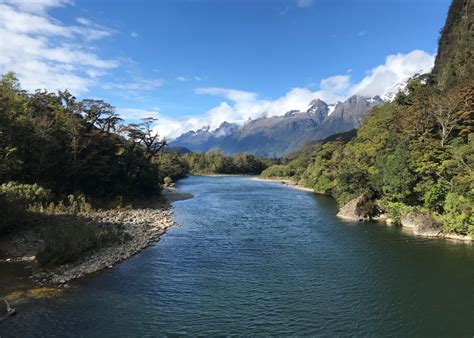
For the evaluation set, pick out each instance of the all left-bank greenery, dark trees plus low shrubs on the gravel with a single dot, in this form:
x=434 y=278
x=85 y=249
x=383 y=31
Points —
x=66 y=153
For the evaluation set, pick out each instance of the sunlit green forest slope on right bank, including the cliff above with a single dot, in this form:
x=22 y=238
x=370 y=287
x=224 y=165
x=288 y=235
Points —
x=415 y=153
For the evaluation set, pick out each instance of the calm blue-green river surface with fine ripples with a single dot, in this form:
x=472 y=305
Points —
x=258 y=258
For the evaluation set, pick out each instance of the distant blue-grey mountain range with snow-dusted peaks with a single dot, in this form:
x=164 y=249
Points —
x=279 y=135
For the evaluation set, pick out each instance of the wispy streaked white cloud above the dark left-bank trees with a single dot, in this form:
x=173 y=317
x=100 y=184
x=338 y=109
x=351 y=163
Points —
x=46 y=54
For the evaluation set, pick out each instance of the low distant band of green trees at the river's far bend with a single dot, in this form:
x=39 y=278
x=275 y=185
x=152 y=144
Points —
x=176 y=166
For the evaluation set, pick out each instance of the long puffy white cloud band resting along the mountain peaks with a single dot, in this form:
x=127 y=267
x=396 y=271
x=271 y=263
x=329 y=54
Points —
x=239 y=105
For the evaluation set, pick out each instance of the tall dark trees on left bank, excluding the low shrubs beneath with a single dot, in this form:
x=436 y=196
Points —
x=72 y=146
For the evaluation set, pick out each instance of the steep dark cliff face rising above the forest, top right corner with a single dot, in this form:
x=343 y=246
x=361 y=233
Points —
x=455 y=59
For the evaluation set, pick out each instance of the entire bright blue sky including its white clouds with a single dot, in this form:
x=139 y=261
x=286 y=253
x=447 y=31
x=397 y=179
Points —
x=197 y=62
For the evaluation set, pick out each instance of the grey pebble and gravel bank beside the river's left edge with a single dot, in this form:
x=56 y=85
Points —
x=140 y=227
